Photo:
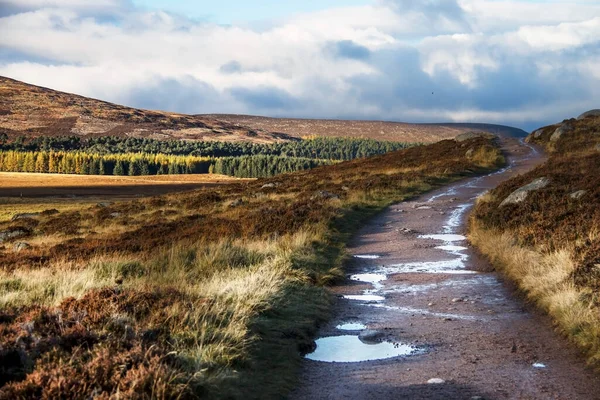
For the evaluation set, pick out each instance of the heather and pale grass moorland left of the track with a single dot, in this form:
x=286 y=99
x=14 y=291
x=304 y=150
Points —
x=214 y=293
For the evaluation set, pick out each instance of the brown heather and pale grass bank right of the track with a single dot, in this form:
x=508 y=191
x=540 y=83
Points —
x=550 y=243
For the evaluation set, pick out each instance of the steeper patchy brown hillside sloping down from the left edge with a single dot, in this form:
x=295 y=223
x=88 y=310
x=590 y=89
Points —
x=34 y=111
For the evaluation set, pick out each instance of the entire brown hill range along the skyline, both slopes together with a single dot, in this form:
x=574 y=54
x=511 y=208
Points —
x=33 y=111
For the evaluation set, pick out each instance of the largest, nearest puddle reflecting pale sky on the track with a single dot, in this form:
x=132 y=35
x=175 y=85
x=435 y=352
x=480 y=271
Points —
x=350 y=349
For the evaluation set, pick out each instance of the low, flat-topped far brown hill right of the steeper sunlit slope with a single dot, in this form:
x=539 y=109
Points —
x=378 y=130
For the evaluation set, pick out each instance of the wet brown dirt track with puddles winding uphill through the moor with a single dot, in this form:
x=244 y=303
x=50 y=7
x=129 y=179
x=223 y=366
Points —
x=468 y=327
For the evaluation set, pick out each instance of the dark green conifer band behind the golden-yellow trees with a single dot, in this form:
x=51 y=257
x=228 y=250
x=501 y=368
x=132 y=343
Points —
x=316 y=148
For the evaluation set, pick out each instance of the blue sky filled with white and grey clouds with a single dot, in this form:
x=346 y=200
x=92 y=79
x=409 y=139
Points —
x=520 y=63
